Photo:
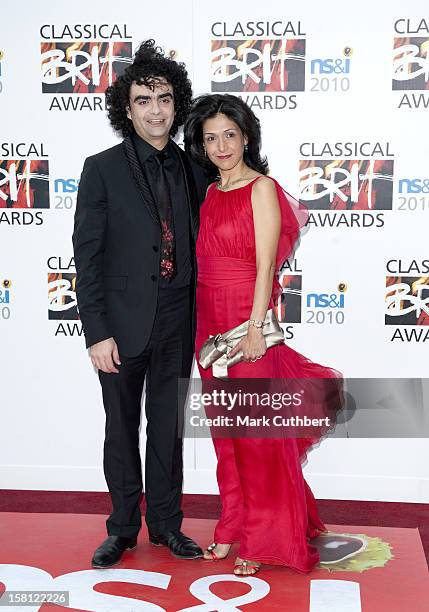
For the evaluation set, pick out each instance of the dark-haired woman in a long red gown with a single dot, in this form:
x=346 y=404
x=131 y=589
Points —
x=248 y=229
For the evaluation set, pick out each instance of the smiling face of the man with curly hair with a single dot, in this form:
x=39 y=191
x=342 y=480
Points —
x=152 y=111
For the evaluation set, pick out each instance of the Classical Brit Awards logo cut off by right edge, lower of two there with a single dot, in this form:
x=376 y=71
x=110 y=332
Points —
x=407 y=299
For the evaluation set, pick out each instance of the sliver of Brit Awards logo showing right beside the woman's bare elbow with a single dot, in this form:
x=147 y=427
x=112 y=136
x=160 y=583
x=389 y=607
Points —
x=288 y=305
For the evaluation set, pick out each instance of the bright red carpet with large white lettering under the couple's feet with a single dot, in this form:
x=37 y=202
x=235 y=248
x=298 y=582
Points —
x=385 y=573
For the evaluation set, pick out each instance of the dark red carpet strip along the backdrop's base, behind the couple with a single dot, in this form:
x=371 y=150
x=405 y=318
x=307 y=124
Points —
x=338 y=512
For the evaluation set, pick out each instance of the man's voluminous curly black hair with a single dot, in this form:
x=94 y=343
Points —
x=149 y=65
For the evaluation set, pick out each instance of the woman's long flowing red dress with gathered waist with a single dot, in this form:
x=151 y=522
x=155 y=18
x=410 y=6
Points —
x=266 y=504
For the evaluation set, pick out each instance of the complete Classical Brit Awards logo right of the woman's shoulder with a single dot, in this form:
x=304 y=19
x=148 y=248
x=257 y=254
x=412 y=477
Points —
x=351 y=181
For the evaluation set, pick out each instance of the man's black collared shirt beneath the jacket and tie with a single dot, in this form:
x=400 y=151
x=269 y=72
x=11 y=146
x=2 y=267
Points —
x=176 y=183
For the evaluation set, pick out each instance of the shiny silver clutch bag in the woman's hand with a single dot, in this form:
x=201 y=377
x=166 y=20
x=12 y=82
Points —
x=215 y=349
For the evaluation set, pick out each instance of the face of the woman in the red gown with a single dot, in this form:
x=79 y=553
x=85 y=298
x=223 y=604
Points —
x=223 y=141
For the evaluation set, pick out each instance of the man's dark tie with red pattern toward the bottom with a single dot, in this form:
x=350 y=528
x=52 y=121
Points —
x=168 y=263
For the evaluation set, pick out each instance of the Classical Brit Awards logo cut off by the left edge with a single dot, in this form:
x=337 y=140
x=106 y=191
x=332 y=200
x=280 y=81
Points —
x=24 y=183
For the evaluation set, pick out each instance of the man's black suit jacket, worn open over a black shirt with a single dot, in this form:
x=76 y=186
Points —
x=116 y=242
